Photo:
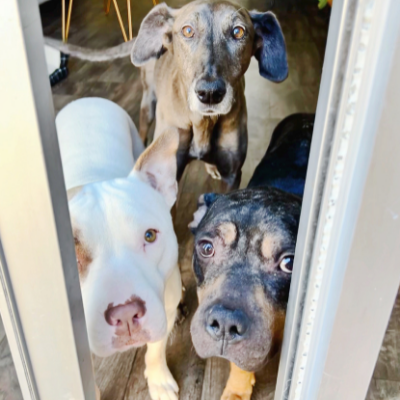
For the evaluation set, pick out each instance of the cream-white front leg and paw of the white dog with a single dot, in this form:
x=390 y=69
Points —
x=162 y=385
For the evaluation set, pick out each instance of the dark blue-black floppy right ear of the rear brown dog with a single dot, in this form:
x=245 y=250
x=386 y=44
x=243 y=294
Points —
x=269 y=46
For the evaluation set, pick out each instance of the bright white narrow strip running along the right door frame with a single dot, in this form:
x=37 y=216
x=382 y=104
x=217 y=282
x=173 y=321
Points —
x=334 y=188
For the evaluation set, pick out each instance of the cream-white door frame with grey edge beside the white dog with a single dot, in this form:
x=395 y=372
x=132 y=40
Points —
x=40 y=304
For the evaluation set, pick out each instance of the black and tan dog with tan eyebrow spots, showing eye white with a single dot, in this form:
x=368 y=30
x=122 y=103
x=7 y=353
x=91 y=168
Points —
x=243 y=258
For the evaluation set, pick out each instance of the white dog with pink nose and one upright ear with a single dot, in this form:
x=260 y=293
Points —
x=125 y=243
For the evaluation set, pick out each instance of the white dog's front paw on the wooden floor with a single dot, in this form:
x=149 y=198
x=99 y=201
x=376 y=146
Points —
x=162 y=385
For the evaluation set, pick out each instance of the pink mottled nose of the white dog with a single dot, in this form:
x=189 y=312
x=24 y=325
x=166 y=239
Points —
x=128 y=313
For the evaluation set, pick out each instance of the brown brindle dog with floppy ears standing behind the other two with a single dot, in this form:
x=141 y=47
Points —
x=203 y=50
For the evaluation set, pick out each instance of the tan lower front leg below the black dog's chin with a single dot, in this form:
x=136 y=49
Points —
x=240 y=384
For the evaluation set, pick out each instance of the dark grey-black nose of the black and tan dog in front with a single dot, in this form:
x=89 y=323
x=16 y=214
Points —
x=228 y=324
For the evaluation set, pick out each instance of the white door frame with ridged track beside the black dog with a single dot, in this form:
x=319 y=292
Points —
x=341 y=297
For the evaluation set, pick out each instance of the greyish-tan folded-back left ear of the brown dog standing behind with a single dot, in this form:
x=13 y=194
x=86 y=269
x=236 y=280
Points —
x=154 y=35
